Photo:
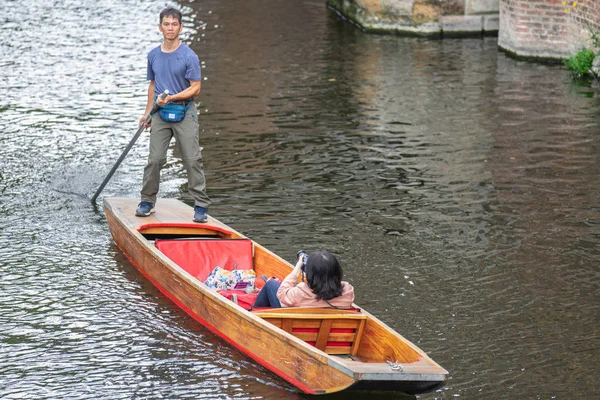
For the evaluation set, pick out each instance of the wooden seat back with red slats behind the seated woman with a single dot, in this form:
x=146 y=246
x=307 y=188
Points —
x=332 y=331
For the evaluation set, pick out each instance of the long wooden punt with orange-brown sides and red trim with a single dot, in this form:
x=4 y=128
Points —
x=317 y=350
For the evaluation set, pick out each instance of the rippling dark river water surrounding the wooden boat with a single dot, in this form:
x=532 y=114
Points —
x=458 y=187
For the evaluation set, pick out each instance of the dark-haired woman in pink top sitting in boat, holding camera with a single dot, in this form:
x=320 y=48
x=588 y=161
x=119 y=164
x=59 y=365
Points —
x=323 y=287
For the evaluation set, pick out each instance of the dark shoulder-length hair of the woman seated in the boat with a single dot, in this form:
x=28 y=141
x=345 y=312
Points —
x=324 y=275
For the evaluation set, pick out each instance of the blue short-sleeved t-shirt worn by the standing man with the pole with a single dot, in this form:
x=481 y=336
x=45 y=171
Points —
x=173 y=71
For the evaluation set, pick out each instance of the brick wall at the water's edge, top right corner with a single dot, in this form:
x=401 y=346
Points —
x=542 y=28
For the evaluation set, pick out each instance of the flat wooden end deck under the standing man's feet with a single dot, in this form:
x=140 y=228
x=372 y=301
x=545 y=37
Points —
x=168 y=211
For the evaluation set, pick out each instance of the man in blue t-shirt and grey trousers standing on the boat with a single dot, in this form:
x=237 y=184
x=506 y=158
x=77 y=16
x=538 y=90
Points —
x=173 y=66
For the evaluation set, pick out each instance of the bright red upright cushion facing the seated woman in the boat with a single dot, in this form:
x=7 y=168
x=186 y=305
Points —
x=200 y=257
